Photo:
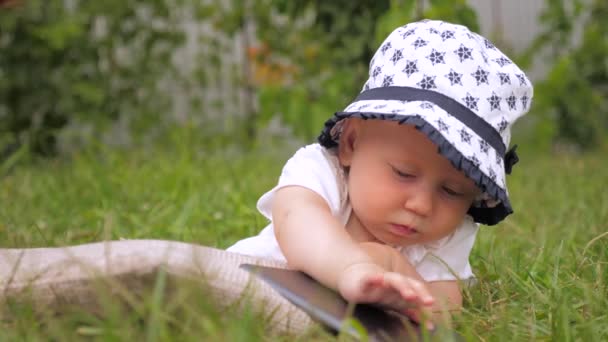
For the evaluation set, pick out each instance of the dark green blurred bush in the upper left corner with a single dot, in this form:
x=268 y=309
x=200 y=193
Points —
x=89 y=60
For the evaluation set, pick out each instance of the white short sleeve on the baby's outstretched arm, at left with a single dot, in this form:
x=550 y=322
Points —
x=311 y=167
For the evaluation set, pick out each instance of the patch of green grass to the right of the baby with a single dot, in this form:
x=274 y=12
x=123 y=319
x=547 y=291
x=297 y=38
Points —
x=543 y=271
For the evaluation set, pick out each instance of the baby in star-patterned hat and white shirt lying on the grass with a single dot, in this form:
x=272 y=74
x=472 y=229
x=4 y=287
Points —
x=385 y=208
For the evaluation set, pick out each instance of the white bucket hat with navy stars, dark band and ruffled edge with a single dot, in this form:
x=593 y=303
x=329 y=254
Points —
x=457 y=88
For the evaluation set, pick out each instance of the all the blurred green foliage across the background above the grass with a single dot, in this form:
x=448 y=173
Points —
x=297 y=62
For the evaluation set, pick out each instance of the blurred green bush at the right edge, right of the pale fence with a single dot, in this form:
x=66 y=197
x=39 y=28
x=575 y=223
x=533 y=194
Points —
x=573 y=99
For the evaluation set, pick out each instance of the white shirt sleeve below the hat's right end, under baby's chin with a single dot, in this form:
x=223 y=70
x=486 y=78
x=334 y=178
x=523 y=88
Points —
x=450 y=260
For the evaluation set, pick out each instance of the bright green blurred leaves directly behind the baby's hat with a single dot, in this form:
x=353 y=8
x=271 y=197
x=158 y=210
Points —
x=333 y=53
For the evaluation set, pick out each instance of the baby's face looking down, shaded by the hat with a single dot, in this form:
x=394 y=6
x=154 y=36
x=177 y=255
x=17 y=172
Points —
x=401 y=189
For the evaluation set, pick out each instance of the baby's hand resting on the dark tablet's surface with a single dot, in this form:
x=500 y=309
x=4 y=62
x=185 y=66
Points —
x=370 y=283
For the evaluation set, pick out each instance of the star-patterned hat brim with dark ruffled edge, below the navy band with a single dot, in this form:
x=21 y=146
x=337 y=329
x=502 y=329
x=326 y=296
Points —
x=479 y=166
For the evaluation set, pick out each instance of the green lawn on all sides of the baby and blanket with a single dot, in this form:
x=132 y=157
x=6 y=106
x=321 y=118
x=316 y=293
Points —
x=541 y=274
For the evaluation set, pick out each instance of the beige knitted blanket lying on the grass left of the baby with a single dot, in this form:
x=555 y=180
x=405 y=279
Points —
x=56 y=276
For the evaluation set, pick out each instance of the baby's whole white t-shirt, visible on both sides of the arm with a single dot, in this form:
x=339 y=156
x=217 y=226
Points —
x=318 y=169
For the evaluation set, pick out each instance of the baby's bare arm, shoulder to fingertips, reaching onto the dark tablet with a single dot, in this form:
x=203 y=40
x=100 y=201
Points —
x=315 y=242
